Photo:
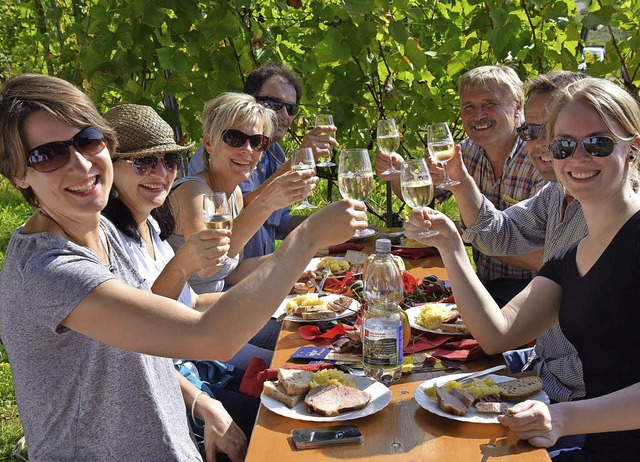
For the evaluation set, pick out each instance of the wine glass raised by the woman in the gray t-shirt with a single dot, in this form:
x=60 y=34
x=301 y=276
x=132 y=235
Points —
x=355 y=177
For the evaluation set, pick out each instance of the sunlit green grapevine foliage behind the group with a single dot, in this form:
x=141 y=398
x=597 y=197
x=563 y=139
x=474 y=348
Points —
x=360 y=59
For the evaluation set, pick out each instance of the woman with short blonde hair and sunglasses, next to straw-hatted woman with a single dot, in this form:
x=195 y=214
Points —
x=236 y=131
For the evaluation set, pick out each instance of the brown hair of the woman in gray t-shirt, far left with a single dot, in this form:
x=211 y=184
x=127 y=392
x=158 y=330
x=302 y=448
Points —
x=25 y=94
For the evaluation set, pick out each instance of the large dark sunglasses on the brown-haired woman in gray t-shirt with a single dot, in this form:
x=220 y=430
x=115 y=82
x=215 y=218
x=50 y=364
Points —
x=51 y=156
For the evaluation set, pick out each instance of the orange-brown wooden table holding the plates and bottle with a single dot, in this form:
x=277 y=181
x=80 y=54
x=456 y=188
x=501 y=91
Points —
x=402 y=431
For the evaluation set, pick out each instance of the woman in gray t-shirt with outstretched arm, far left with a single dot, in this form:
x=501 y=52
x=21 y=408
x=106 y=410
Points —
x=76 y=315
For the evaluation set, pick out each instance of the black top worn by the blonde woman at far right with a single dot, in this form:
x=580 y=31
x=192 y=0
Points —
x=600 y=315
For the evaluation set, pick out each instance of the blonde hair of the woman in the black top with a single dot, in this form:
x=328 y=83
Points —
x=614 y=105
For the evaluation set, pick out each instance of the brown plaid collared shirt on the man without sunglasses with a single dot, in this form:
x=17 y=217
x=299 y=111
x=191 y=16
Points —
x=520 y=180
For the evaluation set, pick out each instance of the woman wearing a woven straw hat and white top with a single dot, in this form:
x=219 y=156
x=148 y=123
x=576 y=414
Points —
x=145 y=165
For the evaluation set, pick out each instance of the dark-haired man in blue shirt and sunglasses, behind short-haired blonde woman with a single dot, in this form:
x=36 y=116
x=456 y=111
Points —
x=278 y=88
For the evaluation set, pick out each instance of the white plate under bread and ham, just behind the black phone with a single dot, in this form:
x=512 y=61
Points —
x=380 y=397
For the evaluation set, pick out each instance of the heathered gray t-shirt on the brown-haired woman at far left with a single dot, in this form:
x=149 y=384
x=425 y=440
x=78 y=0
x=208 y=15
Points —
x=78 y=398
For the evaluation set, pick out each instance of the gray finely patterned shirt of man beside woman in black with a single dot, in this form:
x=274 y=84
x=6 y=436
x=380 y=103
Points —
x=542 y=221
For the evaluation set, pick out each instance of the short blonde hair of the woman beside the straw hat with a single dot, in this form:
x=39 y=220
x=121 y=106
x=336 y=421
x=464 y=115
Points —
x=229 y=110
